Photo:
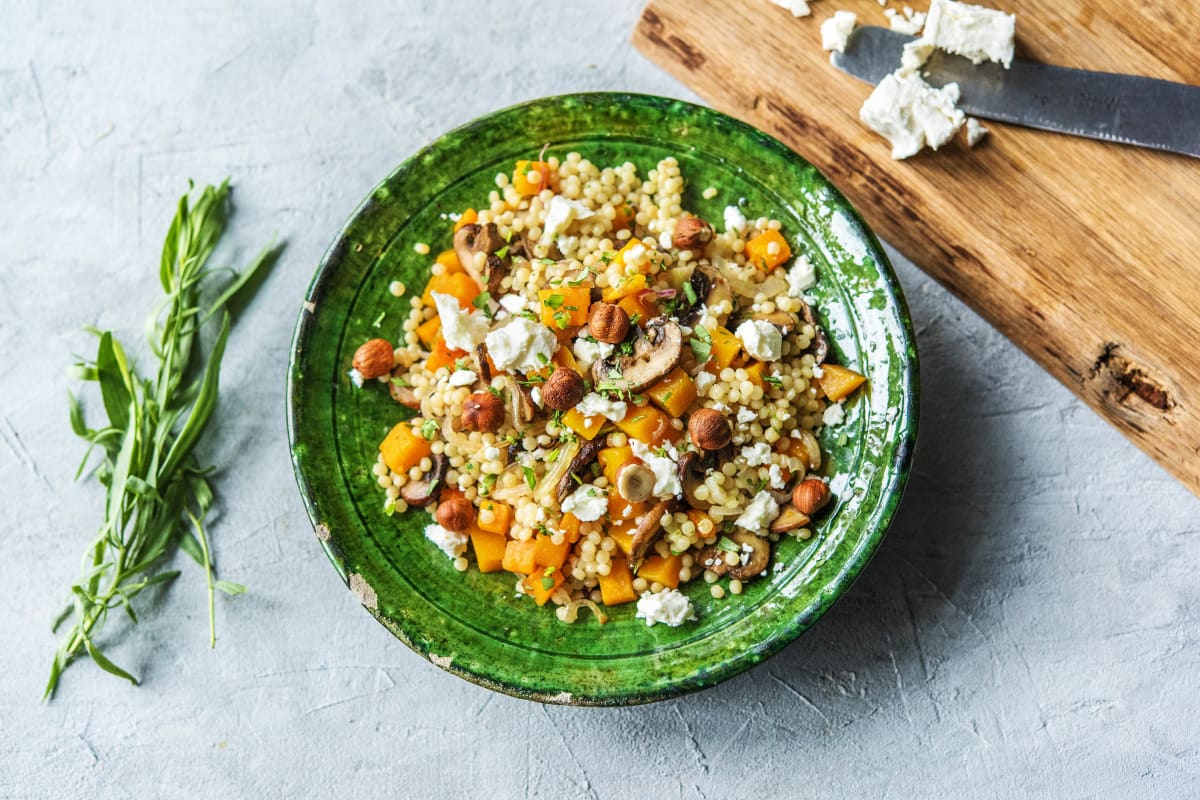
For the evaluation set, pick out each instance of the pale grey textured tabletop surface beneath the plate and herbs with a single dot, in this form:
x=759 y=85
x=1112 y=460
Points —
x=1029 y=629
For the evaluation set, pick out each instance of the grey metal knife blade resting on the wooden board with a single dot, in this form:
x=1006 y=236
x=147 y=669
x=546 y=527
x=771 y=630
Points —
x=1129 y=110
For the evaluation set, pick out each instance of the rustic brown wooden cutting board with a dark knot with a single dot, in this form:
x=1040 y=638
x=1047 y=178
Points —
x=1087 y=255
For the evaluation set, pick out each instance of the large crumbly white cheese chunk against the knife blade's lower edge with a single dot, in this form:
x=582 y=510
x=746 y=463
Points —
x=911 y=115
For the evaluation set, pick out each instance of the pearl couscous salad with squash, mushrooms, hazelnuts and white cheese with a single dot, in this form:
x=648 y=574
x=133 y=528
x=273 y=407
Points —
x=614 y=399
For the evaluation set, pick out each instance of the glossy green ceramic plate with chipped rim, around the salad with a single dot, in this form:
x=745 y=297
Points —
x=472 y=624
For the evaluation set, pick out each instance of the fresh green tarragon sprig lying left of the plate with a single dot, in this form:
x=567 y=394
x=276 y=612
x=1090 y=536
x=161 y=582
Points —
x=158 y=496
